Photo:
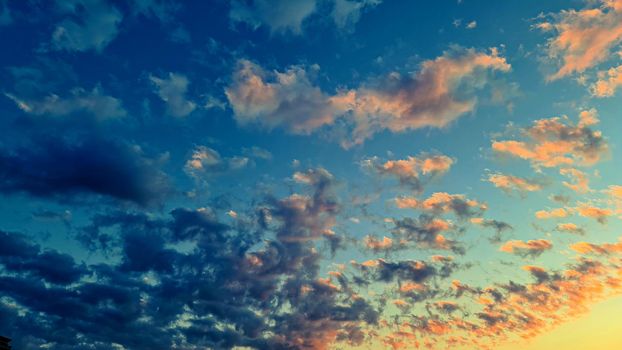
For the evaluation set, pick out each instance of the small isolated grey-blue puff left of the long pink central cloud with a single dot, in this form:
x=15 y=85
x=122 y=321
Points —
x=172 y=90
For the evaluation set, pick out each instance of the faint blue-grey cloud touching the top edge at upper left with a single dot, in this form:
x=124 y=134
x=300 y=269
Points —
x=91 y=25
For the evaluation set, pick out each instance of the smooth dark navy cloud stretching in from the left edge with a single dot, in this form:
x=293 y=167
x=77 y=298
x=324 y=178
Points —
x=55 y=167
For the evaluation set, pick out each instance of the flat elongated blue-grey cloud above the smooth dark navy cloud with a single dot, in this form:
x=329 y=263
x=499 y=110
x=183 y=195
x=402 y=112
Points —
x=93 y=102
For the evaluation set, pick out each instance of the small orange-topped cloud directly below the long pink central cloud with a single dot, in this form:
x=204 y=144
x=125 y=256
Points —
x=414 y=172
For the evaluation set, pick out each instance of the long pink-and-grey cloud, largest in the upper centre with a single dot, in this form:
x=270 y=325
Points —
x=443 y=90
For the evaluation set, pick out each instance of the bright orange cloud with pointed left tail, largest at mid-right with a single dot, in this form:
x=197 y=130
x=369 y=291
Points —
x=556 y=141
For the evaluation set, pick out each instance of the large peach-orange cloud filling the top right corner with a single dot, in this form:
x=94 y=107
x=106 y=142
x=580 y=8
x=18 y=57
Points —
x=583 y=38
